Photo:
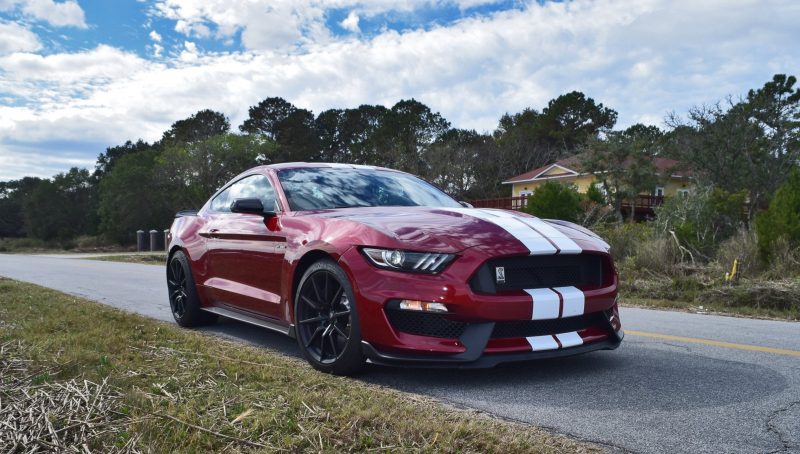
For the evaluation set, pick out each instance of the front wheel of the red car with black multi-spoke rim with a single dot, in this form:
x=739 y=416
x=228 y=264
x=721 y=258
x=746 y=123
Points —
x=326 y=320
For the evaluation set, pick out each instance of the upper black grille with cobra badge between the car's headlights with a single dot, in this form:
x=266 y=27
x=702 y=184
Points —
x=539 y=271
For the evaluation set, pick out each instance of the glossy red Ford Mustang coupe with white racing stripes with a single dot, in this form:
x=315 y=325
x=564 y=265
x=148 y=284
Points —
x=371 y=264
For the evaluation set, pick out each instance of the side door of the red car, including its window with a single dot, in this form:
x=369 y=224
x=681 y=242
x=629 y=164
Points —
x=245 y=251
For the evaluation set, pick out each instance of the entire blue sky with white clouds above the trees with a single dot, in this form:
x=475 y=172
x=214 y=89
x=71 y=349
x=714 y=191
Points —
x=77 y=76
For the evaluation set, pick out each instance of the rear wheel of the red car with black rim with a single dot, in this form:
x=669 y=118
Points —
x=183 y=300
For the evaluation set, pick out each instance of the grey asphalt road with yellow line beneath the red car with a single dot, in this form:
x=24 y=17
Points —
x=651 y=395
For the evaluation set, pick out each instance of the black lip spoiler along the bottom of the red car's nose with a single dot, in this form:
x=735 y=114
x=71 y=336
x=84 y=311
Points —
x=475 y=338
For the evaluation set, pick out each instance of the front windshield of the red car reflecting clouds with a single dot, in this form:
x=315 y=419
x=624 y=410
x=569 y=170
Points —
x=322 y=187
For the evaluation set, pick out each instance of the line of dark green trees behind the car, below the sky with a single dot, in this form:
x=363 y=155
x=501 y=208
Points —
x=749 y=144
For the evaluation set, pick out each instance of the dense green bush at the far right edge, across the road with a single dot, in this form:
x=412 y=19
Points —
x=781 y=219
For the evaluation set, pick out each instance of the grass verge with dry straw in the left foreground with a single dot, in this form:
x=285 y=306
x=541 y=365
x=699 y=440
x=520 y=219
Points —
x=132 y=383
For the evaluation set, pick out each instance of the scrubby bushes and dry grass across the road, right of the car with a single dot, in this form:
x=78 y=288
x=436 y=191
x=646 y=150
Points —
x=680 y=259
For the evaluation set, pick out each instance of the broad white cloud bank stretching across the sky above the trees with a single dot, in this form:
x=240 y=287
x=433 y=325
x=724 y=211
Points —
x=643 y=59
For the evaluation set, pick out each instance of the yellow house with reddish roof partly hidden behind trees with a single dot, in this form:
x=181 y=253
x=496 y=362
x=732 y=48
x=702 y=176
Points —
x=569 y=171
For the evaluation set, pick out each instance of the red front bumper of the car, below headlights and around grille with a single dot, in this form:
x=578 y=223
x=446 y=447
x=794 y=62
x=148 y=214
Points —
x=478 y=344
